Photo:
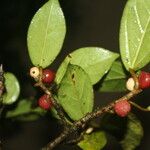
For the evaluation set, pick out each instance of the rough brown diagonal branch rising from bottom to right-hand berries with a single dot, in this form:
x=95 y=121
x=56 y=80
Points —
x=89 y=116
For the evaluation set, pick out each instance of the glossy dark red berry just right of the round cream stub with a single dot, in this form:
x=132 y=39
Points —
x=48 y=76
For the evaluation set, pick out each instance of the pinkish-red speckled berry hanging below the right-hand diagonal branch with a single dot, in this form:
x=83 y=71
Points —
x=122 y=108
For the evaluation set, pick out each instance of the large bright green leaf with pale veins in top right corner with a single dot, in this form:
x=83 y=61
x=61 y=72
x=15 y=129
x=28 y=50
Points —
x=135 y=34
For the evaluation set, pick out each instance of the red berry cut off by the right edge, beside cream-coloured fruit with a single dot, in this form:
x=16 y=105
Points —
x=144 y=80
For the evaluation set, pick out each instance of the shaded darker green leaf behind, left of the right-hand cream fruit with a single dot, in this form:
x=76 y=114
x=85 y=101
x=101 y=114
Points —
x=115 y=80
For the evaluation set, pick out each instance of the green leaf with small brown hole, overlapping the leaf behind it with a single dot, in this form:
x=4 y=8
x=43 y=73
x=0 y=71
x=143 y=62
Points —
x=75 y=93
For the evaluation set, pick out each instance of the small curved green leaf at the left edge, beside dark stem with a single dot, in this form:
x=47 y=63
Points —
x=12 y=88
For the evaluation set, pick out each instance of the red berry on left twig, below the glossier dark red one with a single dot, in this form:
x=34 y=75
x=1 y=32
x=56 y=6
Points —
x=45 y=102
